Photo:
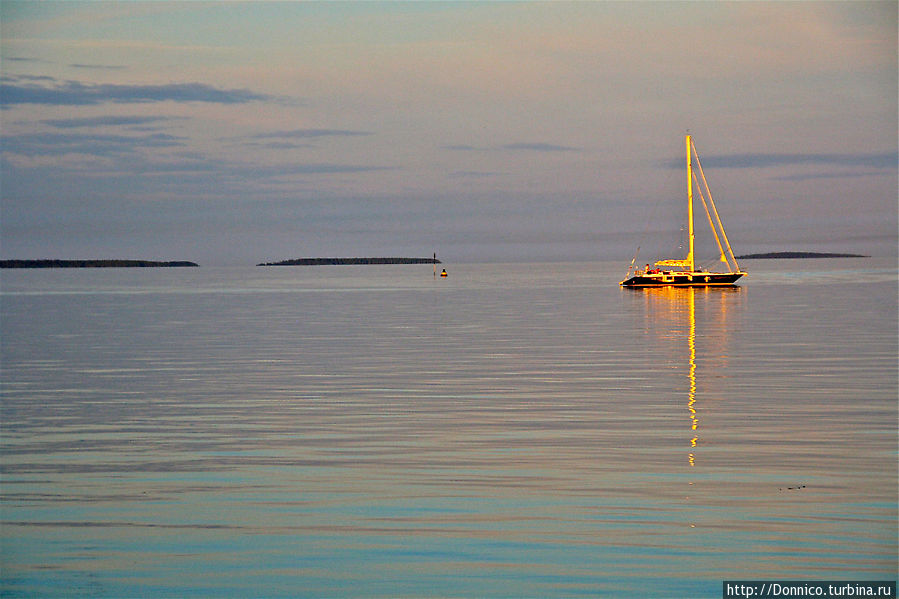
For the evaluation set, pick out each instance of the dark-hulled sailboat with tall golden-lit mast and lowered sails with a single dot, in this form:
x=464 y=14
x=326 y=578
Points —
x=684 y=272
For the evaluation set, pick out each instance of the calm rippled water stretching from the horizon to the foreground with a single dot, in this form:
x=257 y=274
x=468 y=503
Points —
x=524 y=430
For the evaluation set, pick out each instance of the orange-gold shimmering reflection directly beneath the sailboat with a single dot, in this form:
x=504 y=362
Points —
x=672 y=314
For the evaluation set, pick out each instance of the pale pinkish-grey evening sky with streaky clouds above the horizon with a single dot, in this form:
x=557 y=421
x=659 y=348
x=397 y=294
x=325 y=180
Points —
x=232 y=133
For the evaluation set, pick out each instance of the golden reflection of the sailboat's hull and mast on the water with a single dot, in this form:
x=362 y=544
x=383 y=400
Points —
x=676 y=306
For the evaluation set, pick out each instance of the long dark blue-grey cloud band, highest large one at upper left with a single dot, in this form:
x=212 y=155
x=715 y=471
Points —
x=74 y=93
